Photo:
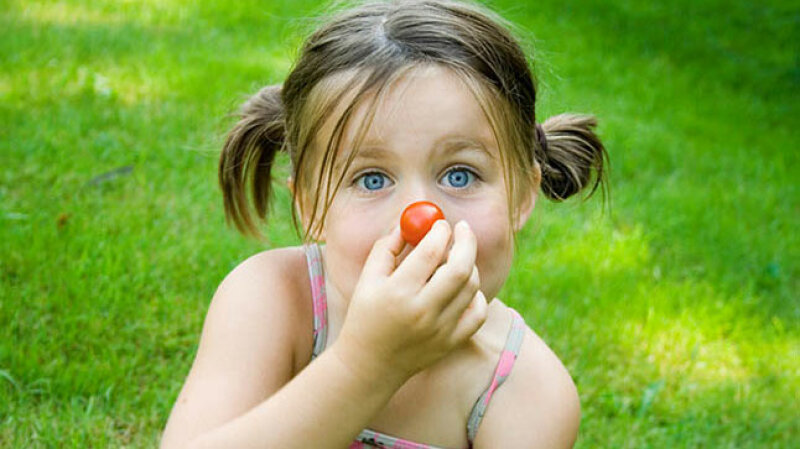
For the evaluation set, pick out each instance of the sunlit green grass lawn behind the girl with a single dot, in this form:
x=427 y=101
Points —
x=676 y=311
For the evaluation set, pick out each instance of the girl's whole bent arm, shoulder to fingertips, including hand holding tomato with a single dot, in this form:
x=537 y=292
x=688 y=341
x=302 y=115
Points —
x=238 y=393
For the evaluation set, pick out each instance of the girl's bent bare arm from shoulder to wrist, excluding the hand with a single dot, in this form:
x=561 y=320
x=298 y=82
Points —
x=246 y=356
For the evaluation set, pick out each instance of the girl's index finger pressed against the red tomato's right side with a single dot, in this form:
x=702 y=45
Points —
x=418 y=266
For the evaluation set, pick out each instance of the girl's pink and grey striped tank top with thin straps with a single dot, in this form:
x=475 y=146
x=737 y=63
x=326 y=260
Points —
x=370 y=438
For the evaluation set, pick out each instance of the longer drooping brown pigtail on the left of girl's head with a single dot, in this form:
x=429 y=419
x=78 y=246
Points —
x=247 y=158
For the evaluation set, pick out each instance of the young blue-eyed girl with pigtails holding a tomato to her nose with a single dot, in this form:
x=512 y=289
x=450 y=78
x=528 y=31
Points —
x=358 y=339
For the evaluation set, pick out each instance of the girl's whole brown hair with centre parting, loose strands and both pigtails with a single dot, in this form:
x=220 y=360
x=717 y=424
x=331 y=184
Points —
x=355 y=57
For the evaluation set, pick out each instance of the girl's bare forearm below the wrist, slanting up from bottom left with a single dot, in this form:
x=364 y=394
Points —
x=325 y=406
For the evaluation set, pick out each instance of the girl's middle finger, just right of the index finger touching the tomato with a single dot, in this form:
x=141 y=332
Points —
x=450 y=278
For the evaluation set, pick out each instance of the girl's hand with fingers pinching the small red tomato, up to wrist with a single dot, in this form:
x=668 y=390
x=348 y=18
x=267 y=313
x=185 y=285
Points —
x=406 y=318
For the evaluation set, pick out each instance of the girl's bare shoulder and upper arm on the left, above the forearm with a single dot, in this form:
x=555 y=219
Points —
x=248 y=346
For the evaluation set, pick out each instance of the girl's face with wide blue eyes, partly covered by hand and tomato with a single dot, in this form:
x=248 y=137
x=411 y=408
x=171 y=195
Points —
x=429 y=140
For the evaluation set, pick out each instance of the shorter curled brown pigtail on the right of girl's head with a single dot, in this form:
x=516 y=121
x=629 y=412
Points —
x=570 y=152
